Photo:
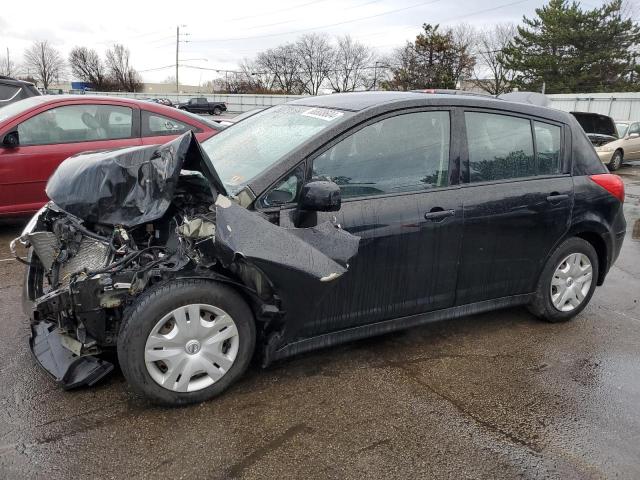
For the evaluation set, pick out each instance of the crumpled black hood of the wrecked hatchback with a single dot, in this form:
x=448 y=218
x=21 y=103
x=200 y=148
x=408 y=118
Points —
x=128 y=186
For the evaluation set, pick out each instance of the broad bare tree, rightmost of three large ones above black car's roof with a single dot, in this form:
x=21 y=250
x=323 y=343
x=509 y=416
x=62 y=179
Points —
x=353 y=66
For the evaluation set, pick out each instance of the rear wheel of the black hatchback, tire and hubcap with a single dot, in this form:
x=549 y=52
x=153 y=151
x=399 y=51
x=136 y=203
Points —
x=567 y=282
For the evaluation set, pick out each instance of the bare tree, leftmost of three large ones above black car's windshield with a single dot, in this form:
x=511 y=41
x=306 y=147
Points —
x=280 y=67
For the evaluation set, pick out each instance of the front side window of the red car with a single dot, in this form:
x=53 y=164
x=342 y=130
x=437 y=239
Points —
x=77 y=123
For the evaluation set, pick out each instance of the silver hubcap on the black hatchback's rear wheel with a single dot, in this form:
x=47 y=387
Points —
x=571 y=282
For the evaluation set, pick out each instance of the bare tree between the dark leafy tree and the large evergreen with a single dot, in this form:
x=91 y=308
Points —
x=491 y=74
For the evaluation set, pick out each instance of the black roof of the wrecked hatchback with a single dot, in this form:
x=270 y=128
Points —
x=360 y=101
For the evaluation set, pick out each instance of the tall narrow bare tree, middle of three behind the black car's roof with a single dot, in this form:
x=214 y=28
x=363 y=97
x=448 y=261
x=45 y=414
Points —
x=315 y=54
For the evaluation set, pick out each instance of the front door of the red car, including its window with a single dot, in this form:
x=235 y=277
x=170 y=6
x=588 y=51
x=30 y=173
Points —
x=49 y=137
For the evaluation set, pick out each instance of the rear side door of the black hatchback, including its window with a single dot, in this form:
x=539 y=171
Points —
x=517 y=196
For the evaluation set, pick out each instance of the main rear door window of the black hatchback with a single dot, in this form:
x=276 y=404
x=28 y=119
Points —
x=500 y=147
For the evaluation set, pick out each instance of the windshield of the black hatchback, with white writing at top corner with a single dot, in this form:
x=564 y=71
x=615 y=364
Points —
x=246 y=149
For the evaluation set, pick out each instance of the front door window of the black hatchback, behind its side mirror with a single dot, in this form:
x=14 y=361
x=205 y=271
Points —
x=405 y=153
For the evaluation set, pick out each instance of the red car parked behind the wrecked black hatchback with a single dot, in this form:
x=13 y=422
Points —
x=38 y=133
